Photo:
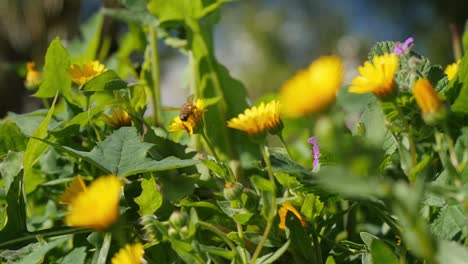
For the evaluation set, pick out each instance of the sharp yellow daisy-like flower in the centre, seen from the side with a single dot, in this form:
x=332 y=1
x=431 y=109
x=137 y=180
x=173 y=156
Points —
x=259 y=119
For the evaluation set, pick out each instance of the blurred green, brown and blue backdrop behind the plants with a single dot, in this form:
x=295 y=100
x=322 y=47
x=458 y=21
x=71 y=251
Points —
x=262 y=42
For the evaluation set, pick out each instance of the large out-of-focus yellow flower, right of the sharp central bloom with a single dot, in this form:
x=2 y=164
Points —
x=312 y=89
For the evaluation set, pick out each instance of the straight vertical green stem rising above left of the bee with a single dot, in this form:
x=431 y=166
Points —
x=155 y=76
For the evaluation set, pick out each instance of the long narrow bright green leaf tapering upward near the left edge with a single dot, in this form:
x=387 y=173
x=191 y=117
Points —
x=34 y=150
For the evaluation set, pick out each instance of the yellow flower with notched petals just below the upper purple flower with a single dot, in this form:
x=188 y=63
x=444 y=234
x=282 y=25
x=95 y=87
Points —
x=376 y=77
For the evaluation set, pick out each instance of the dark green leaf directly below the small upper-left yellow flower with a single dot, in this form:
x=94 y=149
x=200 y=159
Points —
x=106 y=81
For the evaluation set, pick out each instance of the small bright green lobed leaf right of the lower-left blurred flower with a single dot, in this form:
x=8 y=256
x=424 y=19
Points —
x=150 y=198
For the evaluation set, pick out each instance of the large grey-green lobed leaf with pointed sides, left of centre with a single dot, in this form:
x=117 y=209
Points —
x=123 y=154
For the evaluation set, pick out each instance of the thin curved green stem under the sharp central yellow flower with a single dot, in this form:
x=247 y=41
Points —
x=272 y=212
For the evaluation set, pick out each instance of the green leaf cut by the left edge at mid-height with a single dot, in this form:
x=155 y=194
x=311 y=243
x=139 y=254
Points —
x=12 y=138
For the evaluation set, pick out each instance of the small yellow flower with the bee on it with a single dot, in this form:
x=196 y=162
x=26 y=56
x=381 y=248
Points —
x=194 y=122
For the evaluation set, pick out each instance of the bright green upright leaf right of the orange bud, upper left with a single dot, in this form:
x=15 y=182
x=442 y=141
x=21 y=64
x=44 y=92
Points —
x=56 y=77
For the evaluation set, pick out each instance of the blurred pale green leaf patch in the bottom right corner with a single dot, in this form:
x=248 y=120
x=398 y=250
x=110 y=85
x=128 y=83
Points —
x=451 y=252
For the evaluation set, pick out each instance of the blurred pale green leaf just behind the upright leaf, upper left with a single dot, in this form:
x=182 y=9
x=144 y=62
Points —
x=85 y=48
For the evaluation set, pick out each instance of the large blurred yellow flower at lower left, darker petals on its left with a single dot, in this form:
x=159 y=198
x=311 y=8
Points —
x=94 y=207
